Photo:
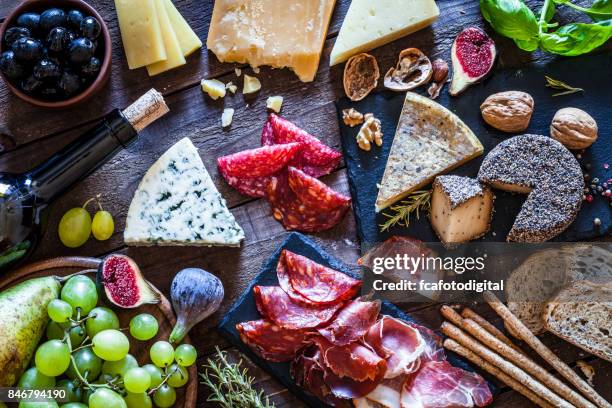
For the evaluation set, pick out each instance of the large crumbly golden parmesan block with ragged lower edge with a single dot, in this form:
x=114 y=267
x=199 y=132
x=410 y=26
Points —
x=288 y=34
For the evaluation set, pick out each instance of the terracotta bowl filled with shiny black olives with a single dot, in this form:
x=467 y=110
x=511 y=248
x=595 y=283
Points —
x=54 y=53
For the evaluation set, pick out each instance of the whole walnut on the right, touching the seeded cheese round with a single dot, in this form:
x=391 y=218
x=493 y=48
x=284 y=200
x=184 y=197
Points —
x=574 y=128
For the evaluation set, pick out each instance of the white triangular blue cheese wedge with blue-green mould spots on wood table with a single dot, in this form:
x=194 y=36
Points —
x=177 y=203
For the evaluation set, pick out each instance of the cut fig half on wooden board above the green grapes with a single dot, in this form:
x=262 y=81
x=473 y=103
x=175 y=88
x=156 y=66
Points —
x=120 y=279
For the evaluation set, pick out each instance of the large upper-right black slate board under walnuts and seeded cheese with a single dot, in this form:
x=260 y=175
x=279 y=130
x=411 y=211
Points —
x=593 y=73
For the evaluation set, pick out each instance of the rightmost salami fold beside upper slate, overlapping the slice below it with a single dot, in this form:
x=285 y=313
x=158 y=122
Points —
x=315 y=193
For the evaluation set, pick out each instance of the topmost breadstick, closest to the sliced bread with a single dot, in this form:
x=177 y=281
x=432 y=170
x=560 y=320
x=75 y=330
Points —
x=528 y=337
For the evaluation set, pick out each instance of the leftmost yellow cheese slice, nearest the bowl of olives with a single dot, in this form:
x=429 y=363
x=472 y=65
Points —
x=140 y=32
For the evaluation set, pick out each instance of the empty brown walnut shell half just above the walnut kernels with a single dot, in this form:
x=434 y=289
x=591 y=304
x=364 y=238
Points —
x=360 y=76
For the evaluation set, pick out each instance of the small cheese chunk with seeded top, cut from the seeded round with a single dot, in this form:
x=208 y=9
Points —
x=461 y=209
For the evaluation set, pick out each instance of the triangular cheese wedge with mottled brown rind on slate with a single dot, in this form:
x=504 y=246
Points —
x=429 y=140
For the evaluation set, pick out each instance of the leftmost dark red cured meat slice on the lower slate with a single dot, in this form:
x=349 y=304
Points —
x=271 y=341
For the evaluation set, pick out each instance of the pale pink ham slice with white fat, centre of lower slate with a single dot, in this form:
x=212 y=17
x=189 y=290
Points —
x=401 y=344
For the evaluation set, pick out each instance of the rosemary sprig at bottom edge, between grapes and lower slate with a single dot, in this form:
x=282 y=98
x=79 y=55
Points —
x=230 y=385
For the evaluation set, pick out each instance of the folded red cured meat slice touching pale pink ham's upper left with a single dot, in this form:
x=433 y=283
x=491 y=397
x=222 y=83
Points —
x=351 y=323
